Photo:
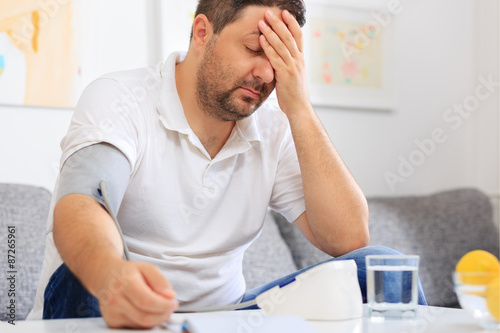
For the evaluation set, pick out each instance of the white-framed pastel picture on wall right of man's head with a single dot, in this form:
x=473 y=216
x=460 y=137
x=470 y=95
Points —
x=349 y=53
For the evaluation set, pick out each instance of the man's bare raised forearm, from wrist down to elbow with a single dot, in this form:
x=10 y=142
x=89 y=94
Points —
x=336 y=207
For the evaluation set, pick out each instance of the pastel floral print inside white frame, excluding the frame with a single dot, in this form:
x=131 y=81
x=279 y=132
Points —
x=345 y=53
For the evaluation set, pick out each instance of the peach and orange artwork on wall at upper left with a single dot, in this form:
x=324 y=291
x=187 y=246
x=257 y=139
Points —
x=37 y=53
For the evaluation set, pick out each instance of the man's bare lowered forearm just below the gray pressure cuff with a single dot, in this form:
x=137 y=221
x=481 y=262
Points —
x=86 y=238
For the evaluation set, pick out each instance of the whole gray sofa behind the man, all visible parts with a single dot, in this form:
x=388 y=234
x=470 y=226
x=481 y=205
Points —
x=440 y=228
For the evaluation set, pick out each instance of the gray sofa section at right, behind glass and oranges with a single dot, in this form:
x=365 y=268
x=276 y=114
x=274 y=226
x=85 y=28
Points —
x=440 y=228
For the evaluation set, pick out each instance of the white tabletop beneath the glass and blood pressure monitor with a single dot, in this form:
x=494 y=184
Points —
x=429 y=320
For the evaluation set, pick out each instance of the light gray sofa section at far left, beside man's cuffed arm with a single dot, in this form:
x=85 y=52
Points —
x=26 y=208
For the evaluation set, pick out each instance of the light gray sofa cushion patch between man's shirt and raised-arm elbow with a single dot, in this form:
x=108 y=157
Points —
x=268 y=258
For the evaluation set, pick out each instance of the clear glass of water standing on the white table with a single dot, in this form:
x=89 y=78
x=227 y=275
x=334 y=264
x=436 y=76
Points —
x=392 y=286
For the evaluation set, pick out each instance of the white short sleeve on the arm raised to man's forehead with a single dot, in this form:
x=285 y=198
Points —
x=288 y=194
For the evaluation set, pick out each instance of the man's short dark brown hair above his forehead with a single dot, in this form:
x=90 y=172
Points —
x=223 y=12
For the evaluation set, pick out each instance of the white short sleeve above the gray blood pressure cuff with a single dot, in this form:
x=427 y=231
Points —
x=104 y=113
